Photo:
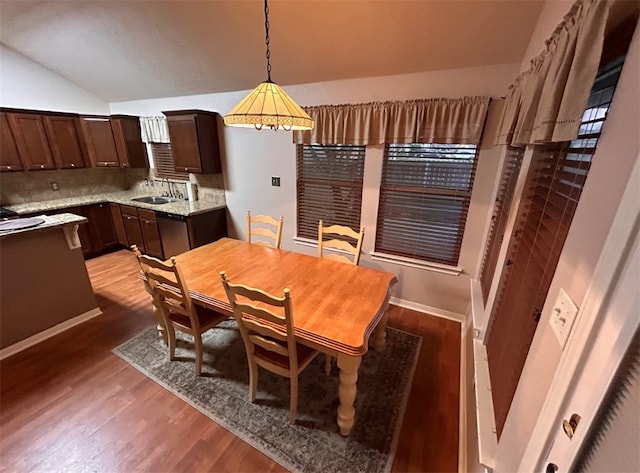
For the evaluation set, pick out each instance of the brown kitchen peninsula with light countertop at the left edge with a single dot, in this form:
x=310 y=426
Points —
x=44 y=285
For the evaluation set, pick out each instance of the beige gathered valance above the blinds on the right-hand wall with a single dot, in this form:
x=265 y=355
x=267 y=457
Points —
x=546 y=103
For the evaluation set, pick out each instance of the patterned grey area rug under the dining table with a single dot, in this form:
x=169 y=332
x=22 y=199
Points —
x=314 y=443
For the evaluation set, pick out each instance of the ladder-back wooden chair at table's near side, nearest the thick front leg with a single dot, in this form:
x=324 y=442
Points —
x=269 y=340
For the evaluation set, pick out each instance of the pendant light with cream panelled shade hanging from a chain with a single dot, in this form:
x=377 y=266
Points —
x=268 y=105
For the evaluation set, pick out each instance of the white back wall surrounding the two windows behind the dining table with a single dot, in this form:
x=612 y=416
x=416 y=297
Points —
x=251 y=157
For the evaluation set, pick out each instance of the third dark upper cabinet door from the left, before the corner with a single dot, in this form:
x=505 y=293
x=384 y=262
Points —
x=66 y=143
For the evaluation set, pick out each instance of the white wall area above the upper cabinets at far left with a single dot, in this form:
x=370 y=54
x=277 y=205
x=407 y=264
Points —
x=26 y=84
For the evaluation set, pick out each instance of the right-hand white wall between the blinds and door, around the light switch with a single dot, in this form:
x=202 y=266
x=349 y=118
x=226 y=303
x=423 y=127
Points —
x=617 y=152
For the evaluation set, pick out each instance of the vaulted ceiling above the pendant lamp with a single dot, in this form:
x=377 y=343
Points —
x=128 y=50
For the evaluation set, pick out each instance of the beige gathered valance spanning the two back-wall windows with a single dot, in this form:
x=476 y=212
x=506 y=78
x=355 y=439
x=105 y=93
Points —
x=416 y=121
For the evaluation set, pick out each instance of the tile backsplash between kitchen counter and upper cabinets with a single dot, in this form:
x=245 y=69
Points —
x=37 y=186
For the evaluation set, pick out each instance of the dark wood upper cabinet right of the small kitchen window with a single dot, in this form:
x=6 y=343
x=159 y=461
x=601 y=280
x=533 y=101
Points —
x=194 y=141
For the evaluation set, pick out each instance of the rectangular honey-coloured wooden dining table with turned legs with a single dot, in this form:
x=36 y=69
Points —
x=337 y=307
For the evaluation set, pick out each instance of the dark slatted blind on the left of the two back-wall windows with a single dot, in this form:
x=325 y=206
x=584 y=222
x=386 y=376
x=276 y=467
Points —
x=329 y=186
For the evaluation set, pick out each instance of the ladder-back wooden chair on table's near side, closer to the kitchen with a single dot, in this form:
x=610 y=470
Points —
x=170 y=295
